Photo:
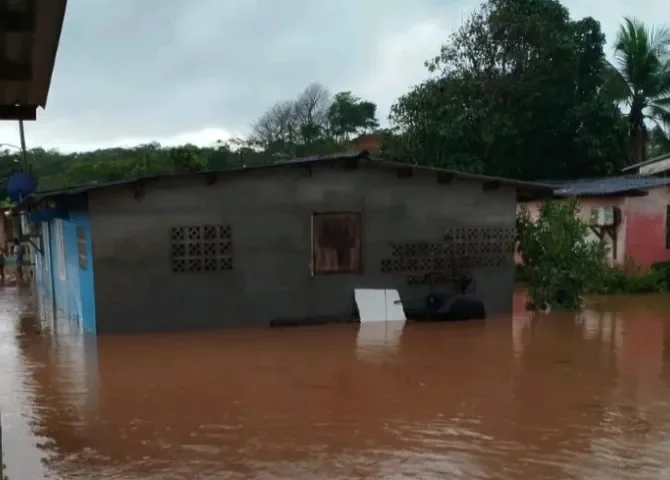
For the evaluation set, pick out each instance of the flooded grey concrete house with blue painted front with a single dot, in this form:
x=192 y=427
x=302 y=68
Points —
x=258 y=246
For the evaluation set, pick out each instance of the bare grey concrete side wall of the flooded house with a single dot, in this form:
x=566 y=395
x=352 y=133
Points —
x=270 y=214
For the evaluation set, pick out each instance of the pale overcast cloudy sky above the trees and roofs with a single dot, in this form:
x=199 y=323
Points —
x=177 y=71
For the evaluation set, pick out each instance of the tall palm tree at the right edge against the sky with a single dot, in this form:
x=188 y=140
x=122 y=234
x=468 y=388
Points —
x=640 y=78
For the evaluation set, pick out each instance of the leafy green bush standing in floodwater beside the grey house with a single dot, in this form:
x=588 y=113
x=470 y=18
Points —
x=560 y=263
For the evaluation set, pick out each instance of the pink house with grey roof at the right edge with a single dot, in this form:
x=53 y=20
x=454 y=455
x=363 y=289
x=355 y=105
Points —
x=629 y=213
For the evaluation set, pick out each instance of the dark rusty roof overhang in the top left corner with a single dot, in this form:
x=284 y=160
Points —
x=29 y=36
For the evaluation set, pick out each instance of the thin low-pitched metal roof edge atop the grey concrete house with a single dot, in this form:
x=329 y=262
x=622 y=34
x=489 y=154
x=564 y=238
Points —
x=539 y=189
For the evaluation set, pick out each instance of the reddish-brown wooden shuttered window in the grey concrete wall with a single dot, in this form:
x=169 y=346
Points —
x=337 y=243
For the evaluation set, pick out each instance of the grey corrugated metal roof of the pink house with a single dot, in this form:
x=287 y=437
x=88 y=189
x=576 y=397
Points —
x=608 y=186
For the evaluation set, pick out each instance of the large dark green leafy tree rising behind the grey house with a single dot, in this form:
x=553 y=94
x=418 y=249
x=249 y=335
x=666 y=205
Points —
x=517 y=91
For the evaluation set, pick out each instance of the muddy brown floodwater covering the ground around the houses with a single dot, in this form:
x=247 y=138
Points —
x=558 y=396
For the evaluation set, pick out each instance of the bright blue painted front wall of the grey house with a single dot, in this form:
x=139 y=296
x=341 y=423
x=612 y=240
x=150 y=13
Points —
x=72 y=287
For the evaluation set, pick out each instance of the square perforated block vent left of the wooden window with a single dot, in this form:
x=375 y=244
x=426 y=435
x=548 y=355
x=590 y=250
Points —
x=203 y=248
